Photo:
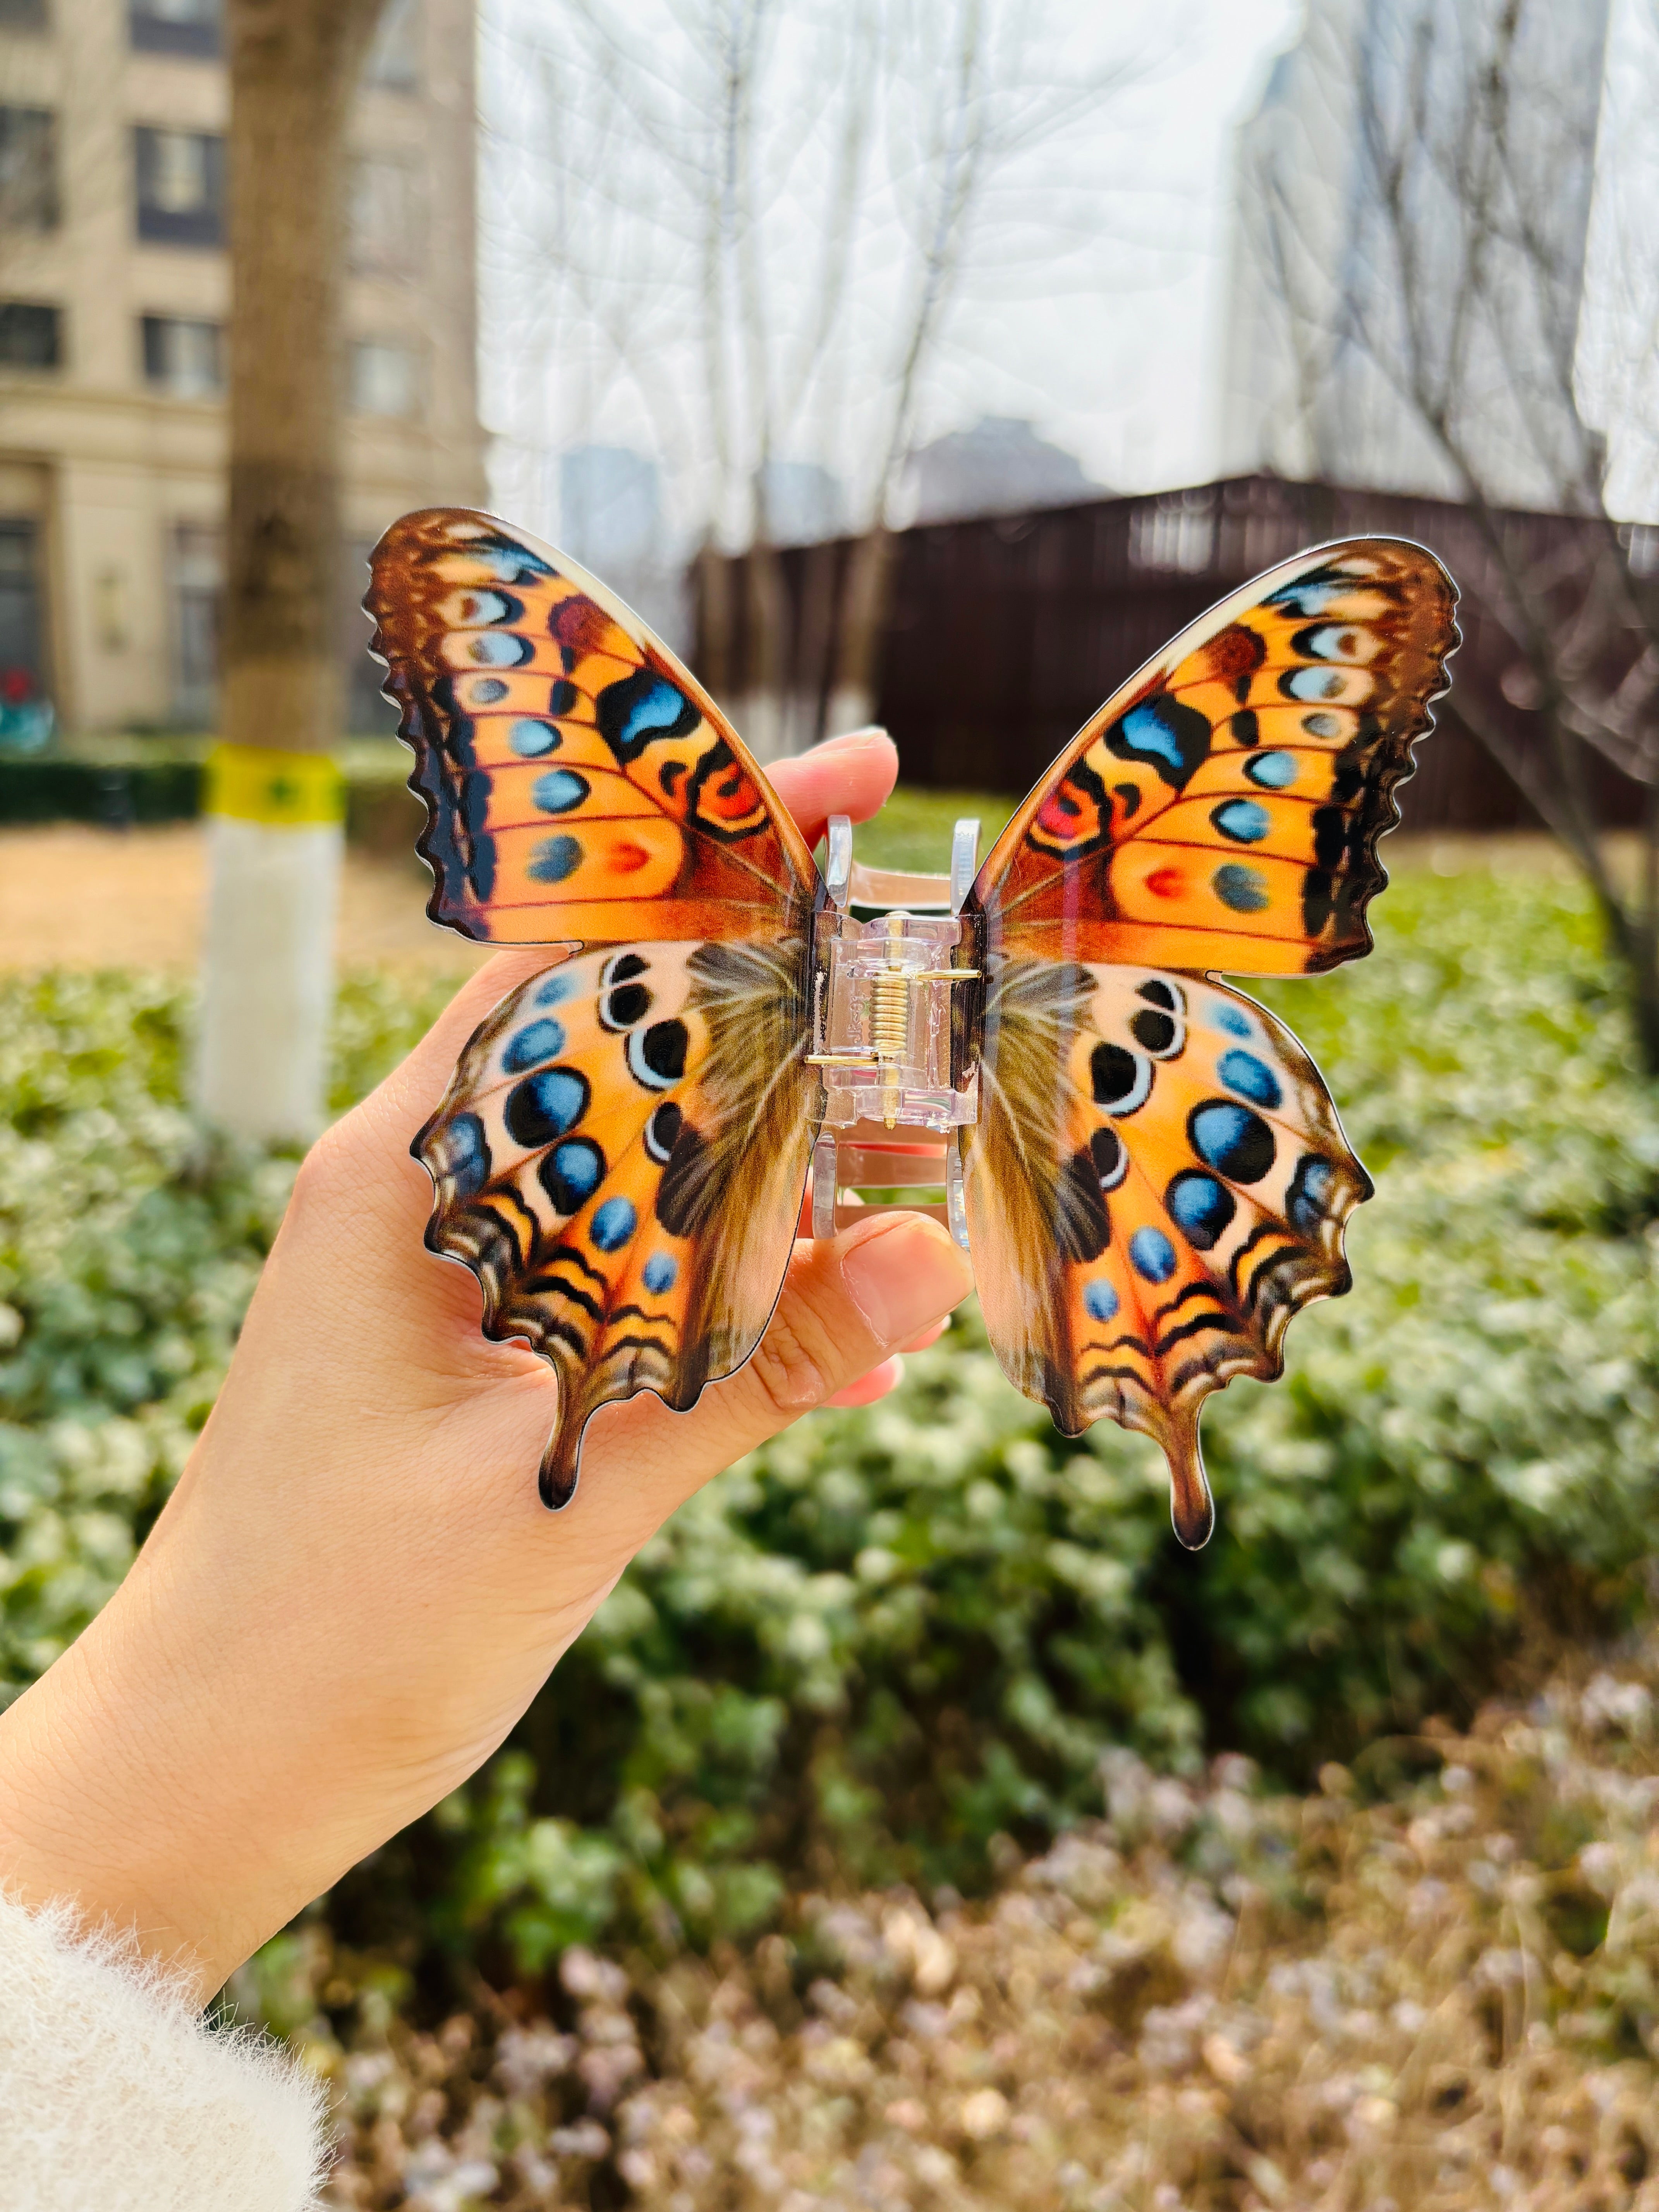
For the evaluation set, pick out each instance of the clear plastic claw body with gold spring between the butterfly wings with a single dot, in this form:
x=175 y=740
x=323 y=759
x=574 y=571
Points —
x=884 y=1039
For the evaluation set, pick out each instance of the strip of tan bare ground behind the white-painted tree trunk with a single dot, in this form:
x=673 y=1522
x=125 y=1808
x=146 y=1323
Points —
x=74 y=897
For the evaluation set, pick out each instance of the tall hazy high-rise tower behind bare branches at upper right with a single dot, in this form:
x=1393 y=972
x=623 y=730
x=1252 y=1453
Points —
x=1392 y=98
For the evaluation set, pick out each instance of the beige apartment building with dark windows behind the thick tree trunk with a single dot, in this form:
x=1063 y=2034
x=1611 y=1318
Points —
x=114 y=300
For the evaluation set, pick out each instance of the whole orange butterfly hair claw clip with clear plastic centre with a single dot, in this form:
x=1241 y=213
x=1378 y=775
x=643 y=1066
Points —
x=1145 y=1162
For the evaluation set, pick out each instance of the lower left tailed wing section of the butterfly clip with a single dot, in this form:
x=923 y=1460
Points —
x=620 y=1162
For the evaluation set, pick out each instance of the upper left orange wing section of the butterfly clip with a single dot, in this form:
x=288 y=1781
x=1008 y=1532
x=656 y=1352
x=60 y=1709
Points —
x=578 y=780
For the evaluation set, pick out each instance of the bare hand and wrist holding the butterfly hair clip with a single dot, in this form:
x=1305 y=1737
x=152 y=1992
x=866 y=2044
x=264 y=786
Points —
x=355 y=1589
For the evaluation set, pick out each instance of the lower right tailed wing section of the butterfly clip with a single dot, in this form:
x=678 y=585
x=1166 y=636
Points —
x=1162 y=1182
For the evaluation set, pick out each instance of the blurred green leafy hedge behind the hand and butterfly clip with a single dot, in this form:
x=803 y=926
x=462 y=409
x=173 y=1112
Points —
x=897 y=1634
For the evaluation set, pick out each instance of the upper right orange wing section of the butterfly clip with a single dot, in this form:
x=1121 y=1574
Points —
x=1224 y=808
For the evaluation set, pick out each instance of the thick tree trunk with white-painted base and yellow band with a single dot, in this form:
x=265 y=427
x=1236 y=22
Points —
x=275 y=793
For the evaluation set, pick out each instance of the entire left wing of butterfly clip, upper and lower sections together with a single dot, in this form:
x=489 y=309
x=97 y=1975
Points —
x=623 y=1149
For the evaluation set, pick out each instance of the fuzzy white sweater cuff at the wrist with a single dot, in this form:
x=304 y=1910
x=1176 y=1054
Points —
x=116 y=2098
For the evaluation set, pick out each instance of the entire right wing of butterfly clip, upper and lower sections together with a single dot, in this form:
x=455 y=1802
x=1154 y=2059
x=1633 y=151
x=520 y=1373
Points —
x=1158 y=1178
